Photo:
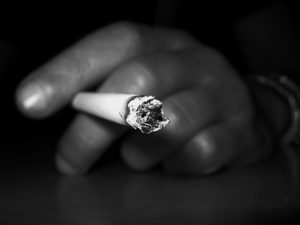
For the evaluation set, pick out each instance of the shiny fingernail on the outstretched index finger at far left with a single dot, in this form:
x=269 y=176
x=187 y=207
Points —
x=32 y=97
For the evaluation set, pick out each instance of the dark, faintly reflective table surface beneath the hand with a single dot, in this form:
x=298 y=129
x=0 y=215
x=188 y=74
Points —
x=33 y=192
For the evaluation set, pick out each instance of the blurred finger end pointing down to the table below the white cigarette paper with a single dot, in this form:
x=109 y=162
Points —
x=84 y=142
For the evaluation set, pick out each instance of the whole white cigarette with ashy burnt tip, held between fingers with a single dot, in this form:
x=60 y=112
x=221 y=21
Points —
x=140 y=112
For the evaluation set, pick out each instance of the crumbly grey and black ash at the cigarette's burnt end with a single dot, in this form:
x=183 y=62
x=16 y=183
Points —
x=145 y=113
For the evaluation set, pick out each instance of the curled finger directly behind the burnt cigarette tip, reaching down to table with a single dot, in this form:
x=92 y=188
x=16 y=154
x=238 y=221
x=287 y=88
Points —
x=188 y=111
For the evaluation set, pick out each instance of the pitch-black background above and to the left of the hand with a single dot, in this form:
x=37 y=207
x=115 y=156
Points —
x=35 y=33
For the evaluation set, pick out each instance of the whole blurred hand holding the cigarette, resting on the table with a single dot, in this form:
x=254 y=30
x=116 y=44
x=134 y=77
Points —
x=213 y=119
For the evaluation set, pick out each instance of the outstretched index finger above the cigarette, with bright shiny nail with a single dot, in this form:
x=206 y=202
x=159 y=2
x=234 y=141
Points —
x=87 y=63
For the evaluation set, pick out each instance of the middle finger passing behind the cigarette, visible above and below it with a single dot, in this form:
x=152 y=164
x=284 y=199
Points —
x=86 y=139
